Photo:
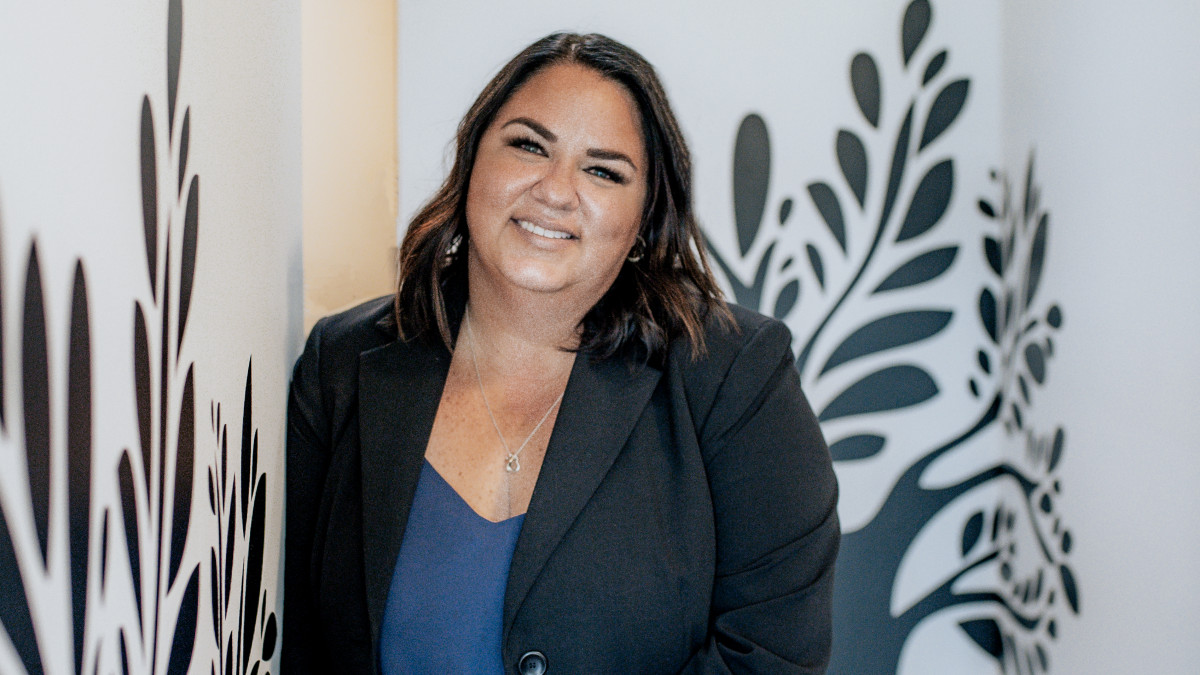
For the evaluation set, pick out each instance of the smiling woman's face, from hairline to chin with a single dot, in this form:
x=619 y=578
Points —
x=557 y=189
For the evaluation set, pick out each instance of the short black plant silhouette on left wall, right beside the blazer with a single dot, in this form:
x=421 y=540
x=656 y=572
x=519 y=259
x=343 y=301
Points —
x=238 y=501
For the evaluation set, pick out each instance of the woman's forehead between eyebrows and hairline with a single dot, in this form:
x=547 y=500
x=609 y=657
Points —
x=574 y=95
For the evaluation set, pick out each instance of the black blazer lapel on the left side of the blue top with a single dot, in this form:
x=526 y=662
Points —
x=400 y=387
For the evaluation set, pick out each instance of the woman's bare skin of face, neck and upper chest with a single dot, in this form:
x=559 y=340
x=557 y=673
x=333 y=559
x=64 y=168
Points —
x=565 y=158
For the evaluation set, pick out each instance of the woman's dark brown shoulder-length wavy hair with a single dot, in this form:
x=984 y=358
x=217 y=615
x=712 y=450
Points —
x=668 y=294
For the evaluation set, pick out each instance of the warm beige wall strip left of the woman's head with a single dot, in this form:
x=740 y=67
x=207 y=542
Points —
x=350 y=153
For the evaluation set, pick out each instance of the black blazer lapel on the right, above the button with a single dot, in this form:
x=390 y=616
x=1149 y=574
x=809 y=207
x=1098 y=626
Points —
x=601 y=407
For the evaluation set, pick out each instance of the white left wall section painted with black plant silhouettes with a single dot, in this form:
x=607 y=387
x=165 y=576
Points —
x=142 y=452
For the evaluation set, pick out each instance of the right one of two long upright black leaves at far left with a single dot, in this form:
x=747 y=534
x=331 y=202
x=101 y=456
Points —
x=80 y=453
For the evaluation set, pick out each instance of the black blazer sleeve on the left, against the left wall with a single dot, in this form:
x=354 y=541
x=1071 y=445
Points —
x=308 y=463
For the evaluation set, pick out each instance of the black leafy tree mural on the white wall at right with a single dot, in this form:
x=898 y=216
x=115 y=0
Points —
x=873 y=250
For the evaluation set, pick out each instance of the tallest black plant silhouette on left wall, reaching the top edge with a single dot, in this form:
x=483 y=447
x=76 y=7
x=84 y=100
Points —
x=157 y=481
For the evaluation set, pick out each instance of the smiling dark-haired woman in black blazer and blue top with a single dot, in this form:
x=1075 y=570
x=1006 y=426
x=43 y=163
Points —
x=556 y=449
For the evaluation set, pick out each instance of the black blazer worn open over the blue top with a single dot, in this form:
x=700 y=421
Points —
x=685 y=519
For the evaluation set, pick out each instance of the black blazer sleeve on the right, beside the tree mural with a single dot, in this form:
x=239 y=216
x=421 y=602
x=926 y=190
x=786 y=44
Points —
x=775 y=504
